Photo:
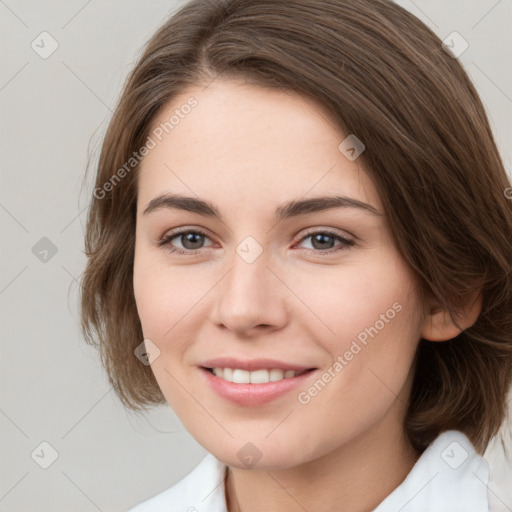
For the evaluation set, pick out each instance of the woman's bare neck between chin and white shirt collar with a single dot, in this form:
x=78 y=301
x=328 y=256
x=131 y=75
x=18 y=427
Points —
x=356 y=477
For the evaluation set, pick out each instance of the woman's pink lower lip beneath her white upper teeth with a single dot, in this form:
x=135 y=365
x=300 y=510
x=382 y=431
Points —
x=253 y=394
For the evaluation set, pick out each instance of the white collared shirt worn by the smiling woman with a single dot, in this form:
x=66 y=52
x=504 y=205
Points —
x=449 y=476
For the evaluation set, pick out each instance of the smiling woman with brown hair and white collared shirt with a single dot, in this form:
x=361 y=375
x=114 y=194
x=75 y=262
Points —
x=340 y=336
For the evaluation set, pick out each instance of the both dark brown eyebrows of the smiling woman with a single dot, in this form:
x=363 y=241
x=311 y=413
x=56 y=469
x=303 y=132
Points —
x=290 y=209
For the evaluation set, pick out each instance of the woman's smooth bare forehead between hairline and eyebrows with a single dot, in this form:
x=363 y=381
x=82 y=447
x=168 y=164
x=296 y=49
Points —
x=242 y=140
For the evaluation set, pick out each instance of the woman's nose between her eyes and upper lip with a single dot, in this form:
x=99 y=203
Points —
x=250 y=298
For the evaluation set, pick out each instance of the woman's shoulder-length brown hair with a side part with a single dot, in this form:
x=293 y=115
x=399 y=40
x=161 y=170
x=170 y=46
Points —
x=384 y=76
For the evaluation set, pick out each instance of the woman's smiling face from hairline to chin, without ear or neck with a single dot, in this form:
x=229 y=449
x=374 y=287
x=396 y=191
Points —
x=277 y=279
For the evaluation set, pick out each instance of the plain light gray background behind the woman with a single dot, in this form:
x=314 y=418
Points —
x=52 y=386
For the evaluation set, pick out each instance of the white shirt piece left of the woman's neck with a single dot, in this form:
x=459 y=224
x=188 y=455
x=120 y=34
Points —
x=201 y=489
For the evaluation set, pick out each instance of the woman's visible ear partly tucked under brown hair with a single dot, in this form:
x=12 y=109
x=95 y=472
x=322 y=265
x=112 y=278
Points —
x=438 y=325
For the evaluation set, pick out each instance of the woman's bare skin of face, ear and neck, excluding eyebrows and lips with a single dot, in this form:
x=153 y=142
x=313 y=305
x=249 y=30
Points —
x=248 y=149
